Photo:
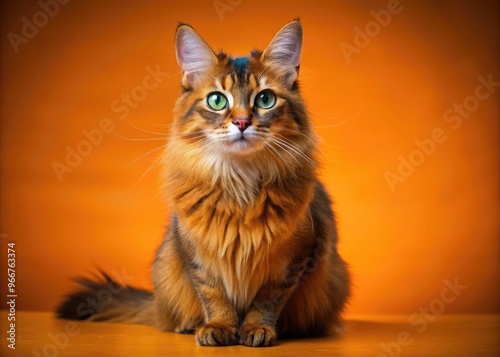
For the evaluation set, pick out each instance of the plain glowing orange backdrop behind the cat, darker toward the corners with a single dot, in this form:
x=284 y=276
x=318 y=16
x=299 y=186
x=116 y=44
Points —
x=440 y=223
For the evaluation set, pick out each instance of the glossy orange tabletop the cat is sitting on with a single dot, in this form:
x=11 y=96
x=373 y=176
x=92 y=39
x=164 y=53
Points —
x=40 y=334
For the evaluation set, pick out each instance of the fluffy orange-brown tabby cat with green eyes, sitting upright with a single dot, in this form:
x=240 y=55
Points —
x=250 y=253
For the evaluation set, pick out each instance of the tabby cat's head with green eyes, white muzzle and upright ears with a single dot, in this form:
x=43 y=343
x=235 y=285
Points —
x=242 y=107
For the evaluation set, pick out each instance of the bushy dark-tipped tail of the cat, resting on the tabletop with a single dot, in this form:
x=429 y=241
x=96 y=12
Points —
x=104 y=299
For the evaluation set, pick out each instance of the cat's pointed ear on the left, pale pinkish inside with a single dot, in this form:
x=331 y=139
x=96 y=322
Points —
x=193 y=54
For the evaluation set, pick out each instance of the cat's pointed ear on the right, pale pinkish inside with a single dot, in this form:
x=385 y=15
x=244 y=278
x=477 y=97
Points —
x=283 y=53
